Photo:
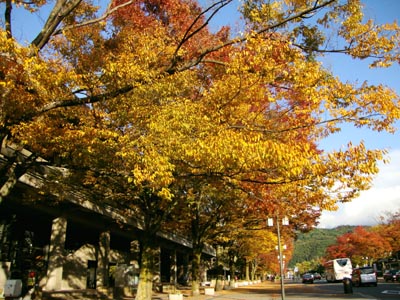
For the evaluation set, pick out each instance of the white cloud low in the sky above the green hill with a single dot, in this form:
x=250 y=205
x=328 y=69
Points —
x=383 y=197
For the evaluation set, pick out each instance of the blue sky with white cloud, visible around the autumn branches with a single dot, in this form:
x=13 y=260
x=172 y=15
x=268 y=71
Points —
x=385 y=194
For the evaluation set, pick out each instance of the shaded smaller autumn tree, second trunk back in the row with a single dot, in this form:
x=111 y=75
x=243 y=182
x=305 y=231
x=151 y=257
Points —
x=210 y=213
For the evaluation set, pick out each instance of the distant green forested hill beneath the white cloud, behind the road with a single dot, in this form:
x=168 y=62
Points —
x=312 y=245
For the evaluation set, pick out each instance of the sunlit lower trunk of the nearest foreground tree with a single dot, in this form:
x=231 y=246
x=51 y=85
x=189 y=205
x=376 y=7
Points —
x=145 y=287
